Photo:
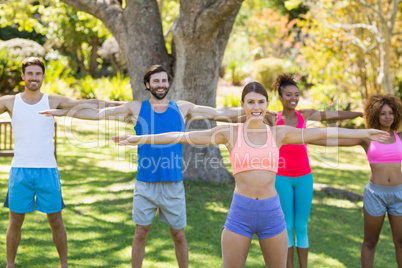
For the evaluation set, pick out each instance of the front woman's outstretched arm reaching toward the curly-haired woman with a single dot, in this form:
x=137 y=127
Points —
x=308 y=135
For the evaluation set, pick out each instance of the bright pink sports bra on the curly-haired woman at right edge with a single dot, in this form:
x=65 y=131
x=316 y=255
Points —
x=385 y=153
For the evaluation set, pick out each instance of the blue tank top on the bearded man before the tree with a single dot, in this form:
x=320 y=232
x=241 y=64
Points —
x=159 y=162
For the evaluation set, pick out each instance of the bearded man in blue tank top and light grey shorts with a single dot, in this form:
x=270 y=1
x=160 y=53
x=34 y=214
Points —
x=159 y=182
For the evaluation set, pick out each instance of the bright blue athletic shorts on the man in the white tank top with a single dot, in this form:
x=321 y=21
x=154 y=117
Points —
x=25 y=184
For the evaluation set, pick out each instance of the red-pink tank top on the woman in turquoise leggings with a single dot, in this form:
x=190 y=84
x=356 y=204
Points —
x=293 y=159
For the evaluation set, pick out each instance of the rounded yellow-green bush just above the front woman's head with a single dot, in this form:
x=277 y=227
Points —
x=265 y=70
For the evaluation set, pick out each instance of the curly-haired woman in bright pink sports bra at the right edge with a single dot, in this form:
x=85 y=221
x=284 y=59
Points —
x=383 y=192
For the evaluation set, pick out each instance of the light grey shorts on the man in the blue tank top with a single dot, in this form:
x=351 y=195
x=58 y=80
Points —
x=168 y=197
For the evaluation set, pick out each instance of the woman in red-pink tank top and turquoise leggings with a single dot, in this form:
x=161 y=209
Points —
x=294 y=181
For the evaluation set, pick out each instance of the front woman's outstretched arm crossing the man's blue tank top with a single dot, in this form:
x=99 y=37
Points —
x=212 y=136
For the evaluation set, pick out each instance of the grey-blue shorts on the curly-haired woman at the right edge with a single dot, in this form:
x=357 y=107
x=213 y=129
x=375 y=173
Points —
x=378 y=199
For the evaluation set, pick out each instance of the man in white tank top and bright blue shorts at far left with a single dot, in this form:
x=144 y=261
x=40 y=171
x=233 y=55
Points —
x=34 y=168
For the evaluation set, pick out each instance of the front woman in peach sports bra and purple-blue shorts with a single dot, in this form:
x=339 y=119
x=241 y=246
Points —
x=254 y=152
